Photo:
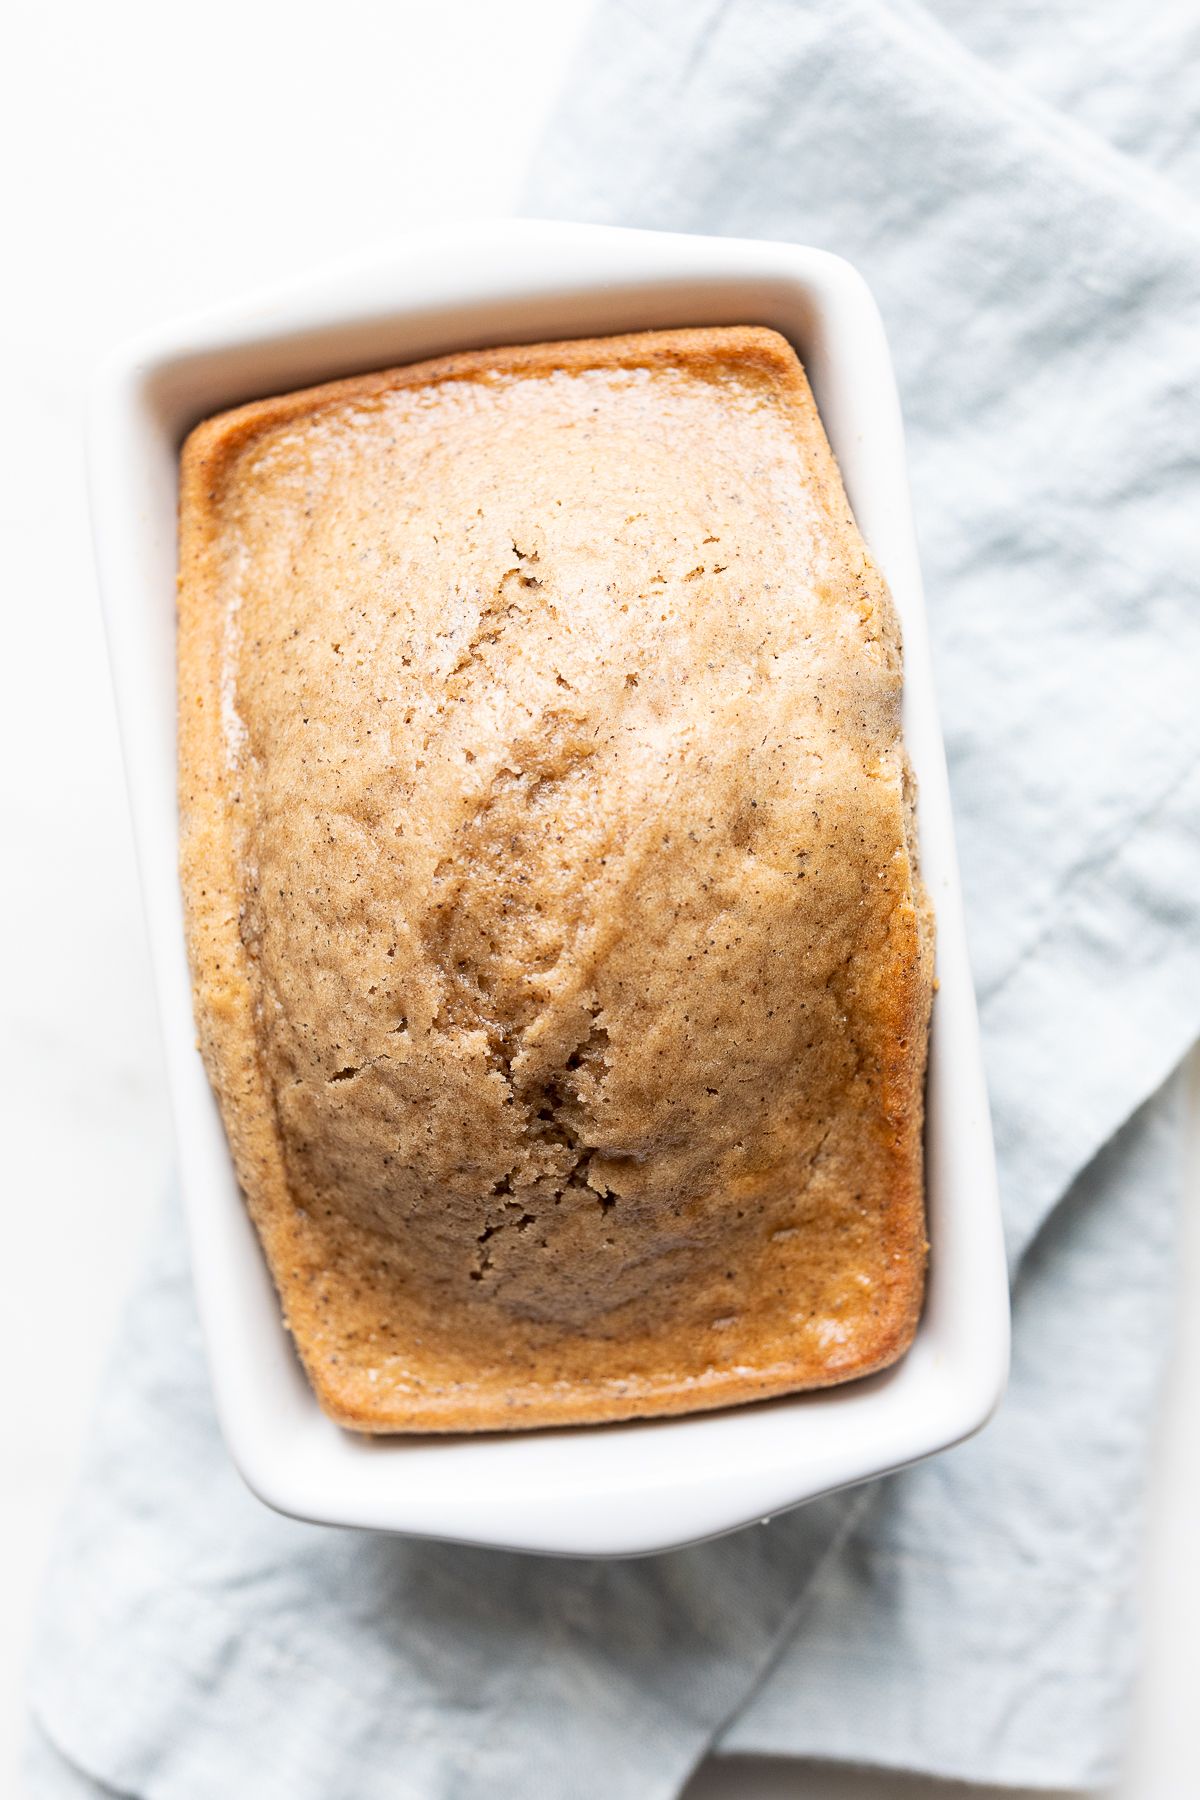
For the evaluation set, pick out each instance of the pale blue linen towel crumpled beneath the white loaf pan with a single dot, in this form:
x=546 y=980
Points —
x=1039 y=267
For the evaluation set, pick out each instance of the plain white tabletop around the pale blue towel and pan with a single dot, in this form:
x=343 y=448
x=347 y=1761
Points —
x=159 y=159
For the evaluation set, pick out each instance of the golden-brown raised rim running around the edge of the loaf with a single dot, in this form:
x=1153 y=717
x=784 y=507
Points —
x=224 y=1000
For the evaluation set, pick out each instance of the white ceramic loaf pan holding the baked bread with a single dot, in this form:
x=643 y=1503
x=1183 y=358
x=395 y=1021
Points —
x=584 y=1491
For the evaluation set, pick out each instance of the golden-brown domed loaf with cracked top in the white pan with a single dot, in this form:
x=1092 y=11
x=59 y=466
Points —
x=548 y=845
